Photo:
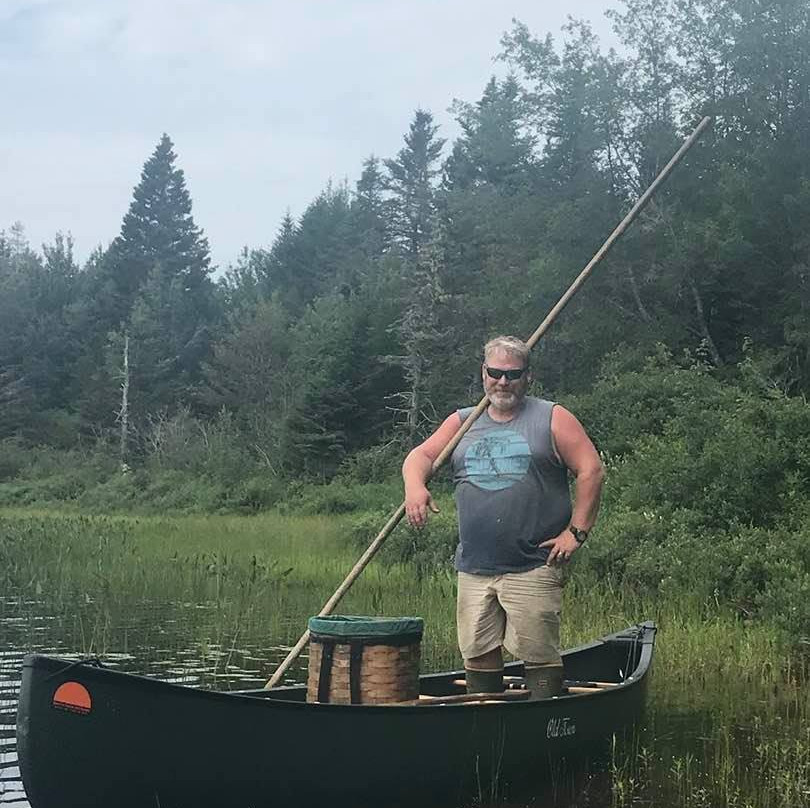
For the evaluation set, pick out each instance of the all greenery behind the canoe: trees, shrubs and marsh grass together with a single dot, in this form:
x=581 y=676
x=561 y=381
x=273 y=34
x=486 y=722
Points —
x=235 y=440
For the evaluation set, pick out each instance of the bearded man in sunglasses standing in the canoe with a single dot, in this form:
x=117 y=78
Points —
x=517 y=523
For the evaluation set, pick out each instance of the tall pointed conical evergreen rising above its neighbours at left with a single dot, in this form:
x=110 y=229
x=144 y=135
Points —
x=152 y=284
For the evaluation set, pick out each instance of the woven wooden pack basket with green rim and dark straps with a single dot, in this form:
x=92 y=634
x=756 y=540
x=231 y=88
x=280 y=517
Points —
x=364 y=660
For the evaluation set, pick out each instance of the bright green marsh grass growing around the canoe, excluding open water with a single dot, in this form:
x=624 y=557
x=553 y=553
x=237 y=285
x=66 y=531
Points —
x=728 y=720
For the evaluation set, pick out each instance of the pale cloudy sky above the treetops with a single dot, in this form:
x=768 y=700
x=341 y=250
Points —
x=266 y=101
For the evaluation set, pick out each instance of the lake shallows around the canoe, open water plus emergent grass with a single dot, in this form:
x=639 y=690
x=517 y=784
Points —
x=727 y=720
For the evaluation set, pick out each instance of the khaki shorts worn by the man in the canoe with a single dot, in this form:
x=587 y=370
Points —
x=519 y=610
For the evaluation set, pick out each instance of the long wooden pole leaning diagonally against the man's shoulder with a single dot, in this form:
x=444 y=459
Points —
x=394 y=519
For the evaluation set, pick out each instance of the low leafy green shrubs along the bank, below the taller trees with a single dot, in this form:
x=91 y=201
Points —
x=707 y=497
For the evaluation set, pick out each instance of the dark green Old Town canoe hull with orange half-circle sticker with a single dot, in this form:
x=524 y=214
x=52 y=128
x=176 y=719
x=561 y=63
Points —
x=143 y=742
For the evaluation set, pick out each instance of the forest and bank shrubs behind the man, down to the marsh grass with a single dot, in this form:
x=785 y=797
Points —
x=144 y=377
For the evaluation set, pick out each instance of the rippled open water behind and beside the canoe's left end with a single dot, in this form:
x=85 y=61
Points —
x=175 y=642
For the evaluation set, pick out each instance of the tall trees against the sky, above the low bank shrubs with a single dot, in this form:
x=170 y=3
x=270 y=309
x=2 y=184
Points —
x=361 y=324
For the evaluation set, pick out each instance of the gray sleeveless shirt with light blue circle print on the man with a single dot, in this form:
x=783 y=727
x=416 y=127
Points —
x=511 y=491
